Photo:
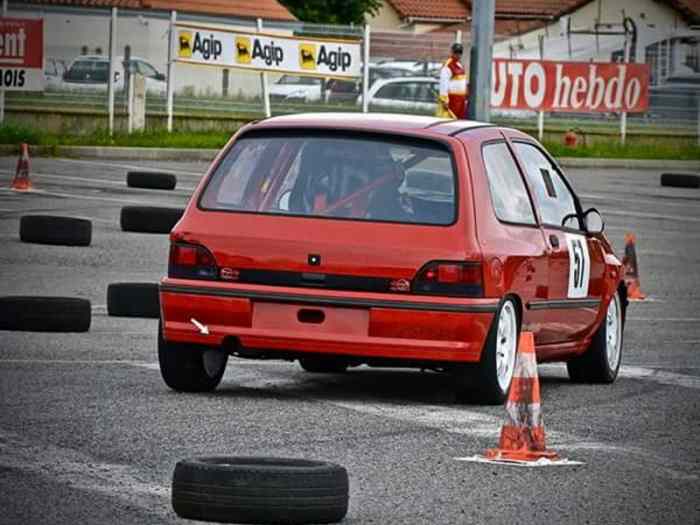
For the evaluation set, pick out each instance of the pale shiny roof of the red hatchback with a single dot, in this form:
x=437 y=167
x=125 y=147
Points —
x=370 y=122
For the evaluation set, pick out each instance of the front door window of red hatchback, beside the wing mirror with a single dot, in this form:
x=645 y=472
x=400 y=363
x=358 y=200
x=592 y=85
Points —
x=554 y=199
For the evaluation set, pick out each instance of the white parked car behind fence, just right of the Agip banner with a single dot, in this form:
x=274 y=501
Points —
x=405 y=94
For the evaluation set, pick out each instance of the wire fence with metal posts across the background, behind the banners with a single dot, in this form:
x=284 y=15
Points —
x=77 y=46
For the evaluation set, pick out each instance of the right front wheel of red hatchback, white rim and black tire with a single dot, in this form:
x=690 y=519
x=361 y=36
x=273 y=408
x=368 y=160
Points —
x=601 y=362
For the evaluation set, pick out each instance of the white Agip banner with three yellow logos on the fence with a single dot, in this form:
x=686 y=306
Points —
x=266 y=52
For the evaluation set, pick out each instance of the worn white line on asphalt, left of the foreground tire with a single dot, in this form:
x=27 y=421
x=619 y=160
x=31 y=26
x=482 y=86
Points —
x=80 y=471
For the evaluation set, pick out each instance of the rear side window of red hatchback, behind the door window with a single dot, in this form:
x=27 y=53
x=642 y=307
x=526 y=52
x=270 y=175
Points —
x=508 y=193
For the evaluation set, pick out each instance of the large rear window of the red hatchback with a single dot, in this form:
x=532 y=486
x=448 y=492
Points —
x=367 y=178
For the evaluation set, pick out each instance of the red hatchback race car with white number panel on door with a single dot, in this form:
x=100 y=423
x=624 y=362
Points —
x=388 y=240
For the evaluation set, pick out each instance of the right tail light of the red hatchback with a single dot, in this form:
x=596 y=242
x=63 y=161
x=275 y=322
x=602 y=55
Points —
x=462 y=279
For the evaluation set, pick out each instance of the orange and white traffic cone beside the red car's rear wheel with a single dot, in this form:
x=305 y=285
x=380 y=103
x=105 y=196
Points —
x=522 y=437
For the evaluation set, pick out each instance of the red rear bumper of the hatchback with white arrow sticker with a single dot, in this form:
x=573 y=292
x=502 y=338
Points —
x=355 y=324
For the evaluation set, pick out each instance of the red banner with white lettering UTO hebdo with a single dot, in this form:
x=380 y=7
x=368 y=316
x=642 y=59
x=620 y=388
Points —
x=585 y=87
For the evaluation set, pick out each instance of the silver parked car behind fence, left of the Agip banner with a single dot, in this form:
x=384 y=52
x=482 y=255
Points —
x=90 y=72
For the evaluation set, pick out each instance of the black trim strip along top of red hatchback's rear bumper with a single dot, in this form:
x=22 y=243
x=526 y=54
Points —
x=330 y=301
